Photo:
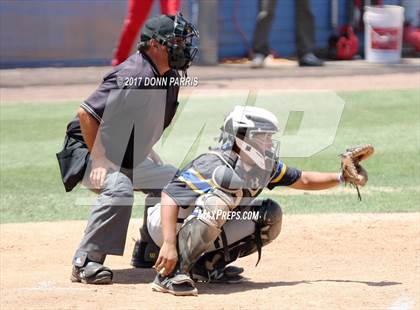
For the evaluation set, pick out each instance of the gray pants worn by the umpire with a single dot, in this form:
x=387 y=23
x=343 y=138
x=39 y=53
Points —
x=107 y=226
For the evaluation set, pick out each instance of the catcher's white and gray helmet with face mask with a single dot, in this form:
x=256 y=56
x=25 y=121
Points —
x=241 y=130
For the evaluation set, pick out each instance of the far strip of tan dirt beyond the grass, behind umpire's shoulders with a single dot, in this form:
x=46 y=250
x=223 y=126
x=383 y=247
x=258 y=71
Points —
x=62 y=84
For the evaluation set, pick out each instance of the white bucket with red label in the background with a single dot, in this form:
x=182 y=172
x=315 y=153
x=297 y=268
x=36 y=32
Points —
x=383 y=33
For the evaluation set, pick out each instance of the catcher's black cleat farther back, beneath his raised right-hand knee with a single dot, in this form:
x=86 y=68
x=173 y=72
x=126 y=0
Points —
x=230 y=274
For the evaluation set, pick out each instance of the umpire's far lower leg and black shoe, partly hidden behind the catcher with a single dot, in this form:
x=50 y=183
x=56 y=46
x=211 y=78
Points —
x=145 y=252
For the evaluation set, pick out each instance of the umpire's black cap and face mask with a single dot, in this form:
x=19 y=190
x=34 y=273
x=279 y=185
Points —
x=174 y=32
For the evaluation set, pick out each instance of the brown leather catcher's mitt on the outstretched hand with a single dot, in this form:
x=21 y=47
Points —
x=353 y=173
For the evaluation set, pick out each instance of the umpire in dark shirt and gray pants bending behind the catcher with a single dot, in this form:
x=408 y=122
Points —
x=108 y=145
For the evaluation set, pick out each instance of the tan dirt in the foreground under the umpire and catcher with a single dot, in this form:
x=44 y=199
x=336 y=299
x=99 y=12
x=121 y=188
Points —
x=359 y=261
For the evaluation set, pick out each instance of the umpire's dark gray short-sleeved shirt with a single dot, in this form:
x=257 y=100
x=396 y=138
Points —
x=133 y=105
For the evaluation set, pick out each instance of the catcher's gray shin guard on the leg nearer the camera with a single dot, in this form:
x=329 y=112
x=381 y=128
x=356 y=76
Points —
x=201 y=229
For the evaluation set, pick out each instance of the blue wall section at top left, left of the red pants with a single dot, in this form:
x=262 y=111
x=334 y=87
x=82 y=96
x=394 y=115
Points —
x=44 y=32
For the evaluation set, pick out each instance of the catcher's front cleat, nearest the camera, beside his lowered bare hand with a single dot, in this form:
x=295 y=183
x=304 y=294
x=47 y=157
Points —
x=178 y=285
